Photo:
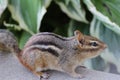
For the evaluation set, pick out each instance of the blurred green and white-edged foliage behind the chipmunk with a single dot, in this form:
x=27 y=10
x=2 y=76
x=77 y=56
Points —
x=99 y=18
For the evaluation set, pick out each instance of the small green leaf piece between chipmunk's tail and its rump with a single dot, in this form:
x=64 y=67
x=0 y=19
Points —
x=23 y=39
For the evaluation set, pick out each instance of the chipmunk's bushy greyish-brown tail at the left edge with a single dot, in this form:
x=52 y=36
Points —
x=8 y=42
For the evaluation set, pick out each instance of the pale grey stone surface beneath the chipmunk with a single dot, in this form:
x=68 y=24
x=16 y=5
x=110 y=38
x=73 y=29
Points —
x=11 y=69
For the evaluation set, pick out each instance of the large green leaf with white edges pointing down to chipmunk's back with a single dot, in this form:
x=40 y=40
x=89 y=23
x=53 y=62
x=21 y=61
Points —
x=27 y=13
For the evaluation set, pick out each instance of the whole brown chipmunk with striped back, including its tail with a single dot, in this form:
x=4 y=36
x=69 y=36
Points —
x=45 y=50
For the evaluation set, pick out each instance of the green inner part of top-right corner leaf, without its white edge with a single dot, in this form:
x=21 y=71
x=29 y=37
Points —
x=110 y=8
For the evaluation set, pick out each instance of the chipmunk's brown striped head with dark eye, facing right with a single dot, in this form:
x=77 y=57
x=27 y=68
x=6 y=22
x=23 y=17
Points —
x=89 y=46
